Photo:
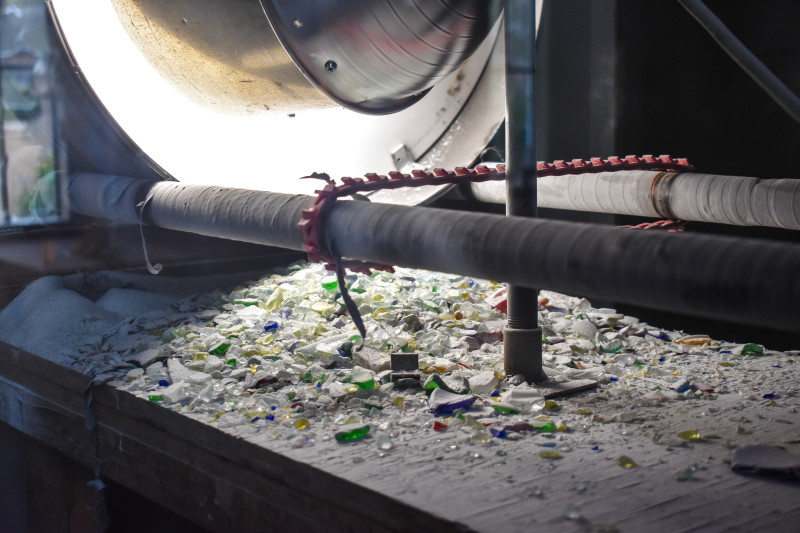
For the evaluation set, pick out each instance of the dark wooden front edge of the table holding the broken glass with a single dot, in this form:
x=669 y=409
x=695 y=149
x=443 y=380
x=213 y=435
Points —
x=212 y=478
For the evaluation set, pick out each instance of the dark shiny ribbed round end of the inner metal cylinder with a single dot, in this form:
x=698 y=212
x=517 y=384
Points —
x=380 y=56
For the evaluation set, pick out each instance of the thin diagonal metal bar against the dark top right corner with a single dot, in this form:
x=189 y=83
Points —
x=772 y=85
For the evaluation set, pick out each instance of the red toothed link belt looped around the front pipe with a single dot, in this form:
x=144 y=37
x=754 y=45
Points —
x=311 y=217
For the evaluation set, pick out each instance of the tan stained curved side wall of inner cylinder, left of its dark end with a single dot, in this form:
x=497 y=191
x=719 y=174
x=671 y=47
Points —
x=222 y=55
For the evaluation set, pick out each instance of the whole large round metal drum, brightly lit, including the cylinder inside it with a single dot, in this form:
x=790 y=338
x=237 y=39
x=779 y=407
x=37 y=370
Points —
x=258 y=93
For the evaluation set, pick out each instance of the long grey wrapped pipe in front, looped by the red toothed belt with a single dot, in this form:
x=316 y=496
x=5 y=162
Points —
x=742 y=280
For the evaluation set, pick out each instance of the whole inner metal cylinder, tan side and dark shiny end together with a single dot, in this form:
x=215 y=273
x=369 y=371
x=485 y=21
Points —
x=371 y=56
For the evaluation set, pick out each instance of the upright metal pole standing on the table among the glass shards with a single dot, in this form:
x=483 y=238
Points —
x=522 y=336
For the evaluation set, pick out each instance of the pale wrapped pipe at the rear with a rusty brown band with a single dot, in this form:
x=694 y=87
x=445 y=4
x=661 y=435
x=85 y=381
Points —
x=735 y=200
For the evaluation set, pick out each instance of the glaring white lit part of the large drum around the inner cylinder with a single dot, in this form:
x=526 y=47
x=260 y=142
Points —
x=208 y=144
